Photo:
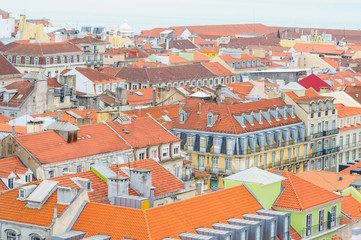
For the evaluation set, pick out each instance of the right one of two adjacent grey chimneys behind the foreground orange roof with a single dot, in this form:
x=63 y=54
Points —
x=141 y=181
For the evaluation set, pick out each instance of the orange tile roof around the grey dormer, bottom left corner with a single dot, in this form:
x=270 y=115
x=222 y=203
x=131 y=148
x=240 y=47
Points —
x=14 y=210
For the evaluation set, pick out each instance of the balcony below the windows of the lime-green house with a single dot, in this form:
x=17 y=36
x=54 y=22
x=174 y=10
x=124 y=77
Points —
x=319 y=230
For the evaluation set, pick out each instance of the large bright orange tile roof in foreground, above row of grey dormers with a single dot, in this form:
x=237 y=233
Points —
x=168 y=220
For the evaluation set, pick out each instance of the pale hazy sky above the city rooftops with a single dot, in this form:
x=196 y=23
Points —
x=147 y=14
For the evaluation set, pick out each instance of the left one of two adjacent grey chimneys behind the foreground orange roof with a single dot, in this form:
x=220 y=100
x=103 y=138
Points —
x=117 y=186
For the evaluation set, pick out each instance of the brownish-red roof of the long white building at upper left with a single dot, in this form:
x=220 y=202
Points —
x=25 y=47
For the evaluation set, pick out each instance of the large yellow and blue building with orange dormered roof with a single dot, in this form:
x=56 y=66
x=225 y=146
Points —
x=223 y=139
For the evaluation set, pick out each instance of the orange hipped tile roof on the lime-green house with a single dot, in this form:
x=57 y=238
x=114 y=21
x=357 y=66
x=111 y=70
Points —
x=300 y=194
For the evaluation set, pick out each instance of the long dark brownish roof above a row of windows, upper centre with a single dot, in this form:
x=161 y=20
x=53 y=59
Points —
x=165 y=74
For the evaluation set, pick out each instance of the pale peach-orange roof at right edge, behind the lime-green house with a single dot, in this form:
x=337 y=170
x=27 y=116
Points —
x=330 y=181
